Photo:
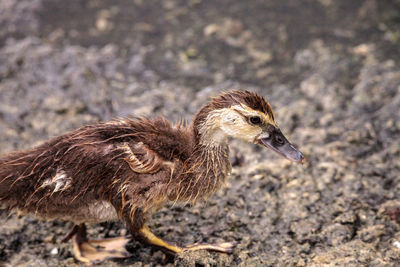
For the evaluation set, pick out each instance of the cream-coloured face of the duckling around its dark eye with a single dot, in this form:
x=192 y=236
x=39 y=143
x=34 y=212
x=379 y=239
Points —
x=244 y=123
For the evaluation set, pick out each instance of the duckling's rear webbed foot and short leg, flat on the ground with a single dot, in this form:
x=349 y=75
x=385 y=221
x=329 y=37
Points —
x=96 y=250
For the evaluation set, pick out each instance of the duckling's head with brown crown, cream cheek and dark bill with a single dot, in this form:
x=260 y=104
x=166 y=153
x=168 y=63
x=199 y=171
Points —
x=244 y=115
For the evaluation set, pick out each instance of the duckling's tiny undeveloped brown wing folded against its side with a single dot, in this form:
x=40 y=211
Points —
x=142 y=159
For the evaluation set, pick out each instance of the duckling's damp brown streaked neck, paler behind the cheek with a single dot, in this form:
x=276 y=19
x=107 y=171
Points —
x=208 y=166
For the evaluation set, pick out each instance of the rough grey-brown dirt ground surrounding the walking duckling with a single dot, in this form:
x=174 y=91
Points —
x=329 y=68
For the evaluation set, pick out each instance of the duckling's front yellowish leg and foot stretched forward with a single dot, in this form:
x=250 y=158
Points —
x=146 y=236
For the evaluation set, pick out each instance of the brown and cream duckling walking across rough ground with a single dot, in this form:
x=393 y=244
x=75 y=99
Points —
x=128 y=168
